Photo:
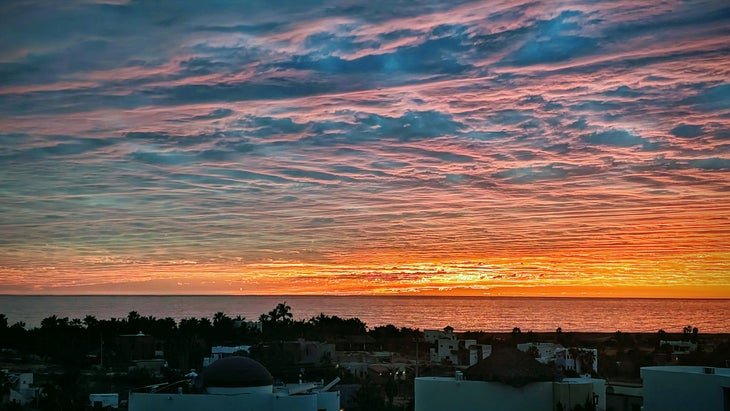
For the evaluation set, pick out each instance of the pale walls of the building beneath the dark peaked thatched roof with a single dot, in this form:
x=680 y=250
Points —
x=442 y=393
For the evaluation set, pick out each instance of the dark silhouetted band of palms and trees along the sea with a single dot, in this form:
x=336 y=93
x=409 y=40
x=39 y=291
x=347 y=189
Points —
x=91 y=341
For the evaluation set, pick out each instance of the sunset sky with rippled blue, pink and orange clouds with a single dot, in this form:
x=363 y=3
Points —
x=502 y=148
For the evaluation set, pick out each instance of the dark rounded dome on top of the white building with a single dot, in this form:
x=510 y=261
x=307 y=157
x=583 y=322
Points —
x=236 y=372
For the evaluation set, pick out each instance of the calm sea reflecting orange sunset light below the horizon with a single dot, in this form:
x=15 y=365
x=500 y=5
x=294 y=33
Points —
x=462 y=313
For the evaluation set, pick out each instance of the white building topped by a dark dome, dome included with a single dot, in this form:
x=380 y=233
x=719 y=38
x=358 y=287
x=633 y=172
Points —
x=240 y=384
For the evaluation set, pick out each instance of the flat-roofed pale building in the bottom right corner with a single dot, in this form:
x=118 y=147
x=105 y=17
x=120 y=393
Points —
x=686 y=388
